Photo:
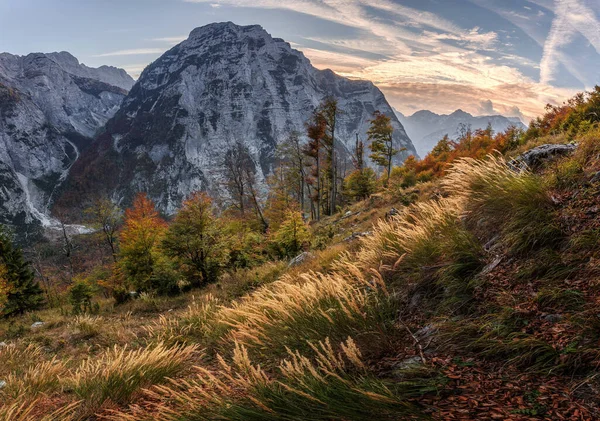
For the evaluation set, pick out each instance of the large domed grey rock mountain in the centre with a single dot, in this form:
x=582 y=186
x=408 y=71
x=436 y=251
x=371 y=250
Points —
x=224 y=84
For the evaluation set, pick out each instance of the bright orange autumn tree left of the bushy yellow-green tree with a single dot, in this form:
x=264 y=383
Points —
x=140 y=237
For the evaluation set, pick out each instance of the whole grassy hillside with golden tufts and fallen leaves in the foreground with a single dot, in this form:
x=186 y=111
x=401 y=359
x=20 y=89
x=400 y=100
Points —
x=478 y=302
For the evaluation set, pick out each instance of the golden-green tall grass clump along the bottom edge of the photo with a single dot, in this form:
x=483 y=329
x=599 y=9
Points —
x=331 y=386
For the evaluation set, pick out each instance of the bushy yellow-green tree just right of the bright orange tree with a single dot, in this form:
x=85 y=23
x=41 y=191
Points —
x=196 y=240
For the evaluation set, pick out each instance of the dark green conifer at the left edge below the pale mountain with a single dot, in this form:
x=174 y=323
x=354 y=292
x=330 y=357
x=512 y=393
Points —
x=18 y=289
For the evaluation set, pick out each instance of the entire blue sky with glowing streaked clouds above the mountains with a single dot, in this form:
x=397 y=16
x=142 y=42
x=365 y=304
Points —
x=483 y=56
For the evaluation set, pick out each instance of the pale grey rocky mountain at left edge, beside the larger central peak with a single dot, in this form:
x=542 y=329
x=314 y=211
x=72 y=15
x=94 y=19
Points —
x=50 y=109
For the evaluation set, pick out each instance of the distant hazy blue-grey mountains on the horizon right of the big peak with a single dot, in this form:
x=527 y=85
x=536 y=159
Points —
x=426 y=128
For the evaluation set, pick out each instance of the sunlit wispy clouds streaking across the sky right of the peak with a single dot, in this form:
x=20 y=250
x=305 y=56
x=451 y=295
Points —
x=440 y=62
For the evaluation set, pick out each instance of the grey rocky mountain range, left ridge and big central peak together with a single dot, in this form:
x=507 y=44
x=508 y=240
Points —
x=70 y=133
